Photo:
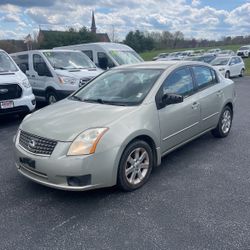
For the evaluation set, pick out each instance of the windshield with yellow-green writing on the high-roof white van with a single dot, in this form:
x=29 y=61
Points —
x=125 y=57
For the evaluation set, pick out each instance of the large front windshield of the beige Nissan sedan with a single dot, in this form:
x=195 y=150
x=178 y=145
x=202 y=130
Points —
x=125 y=87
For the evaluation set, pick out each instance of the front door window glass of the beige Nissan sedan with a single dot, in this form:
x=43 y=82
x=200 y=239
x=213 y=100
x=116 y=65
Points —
x=179 y=82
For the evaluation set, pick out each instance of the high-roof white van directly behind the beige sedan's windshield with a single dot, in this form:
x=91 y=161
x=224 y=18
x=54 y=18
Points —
x=107 y=55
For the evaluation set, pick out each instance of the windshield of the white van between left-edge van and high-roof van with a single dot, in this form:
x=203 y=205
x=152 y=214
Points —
x=68 y=60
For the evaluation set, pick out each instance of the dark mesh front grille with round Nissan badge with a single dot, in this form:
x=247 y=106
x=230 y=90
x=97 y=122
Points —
x=36 y=144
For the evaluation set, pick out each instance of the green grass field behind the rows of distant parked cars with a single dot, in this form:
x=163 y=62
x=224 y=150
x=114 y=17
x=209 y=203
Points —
x=147 y=56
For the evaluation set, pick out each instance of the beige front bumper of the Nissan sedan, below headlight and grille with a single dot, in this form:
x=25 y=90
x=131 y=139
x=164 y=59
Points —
x=96 y=170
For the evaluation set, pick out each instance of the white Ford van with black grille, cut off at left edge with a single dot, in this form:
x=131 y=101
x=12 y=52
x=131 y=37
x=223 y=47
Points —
x=15 y=91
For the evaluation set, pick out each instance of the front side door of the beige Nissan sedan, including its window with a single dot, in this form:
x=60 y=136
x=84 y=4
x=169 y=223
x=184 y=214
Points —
x=179 y=122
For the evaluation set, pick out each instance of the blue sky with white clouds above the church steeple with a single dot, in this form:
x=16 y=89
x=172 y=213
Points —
x=210 y=19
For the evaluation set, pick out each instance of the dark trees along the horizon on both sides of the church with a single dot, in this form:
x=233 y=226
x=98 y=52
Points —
x=138 y=40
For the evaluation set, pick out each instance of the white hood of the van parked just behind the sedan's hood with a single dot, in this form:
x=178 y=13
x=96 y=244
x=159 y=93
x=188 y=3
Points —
x=81 y=73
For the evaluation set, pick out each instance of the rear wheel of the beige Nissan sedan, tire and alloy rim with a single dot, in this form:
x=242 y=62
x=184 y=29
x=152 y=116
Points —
x=224 y=125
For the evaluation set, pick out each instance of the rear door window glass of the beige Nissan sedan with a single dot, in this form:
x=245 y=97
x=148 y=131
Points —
x=203 y=76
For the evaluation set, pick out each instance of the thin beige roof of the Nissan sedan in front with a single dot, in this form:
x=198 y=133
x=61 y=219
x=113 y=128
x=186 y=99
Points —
x=161 y=64
